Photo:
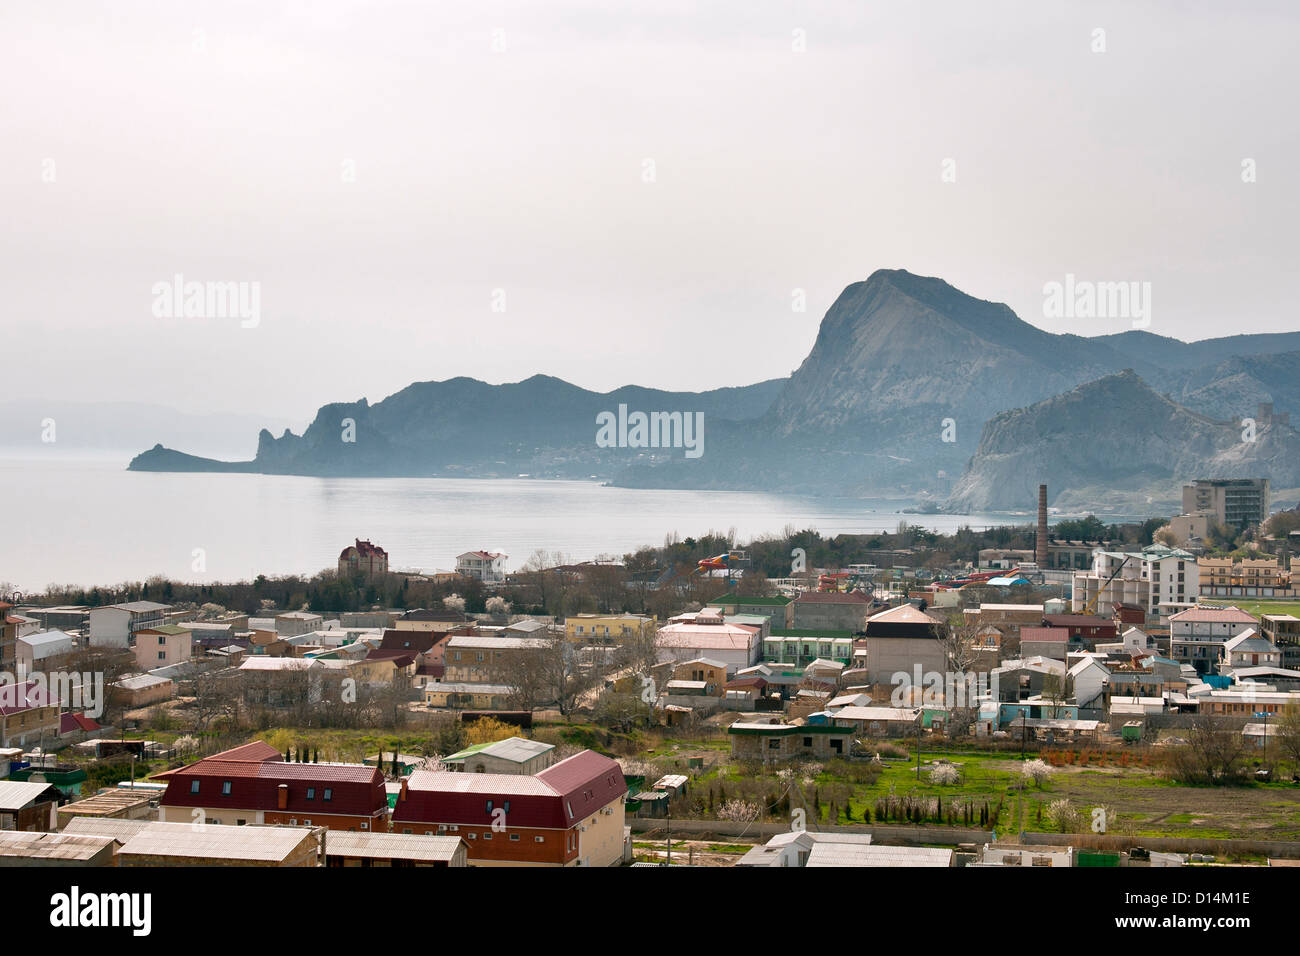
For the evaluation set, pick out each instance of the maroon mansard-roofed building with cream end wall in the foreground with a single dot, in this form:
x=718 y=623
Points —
x=570 y=815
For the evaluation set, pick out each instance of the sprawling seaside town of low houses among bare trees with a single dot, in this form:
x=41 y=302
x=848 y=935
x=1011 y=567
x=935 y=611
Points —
x=570 y=716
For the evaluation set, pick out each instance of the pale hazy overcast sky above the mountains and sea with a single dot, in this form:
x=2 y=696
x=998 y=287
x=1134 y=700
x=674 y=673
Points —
x=505 y=146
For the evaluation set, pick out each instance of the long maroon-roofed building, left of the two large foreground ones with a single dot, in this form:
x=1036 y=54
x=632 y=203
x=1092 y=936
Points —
x=254 y=785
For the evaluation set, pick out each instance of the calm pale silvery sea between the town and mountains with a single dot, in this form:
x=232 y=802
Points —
x=93 y=522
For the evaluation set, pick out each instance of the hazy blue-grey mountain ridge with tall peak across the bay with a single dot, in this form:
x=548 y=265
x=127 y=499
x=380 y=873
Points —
x=904 y=377
